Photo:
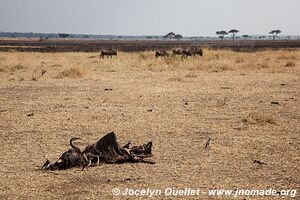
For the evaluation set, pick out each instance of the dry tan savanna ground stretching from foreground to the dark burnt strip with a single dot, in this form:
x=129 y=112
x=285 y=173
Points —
x=248 y=103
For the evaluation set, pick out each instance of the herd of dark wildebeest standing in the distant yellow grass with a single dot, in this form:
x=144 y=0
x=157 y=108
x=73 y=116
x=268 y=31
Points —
x=183 y=53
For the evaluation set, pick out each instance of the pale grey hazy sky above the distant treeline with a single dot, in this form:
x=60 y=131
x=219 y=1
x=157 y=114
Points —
x=150 y=17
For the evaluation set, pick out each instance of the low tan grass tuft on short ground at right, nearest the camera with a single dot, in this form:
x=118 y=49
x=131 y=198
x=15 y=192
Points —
x=257 y=118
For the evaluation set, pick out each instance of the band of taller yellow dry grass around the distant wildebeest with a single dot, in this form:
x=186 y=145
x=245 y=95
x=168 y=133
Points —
x=212 y=61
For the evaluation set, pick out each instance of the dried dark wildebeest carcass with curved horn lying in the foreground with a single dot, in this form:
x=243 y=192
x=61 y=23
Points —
x=106 y=150
